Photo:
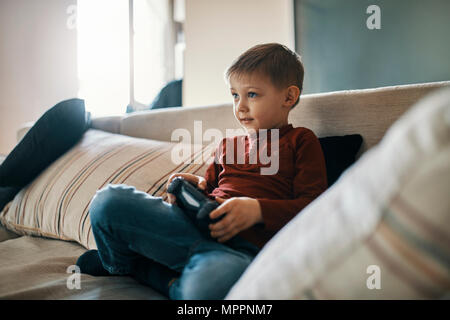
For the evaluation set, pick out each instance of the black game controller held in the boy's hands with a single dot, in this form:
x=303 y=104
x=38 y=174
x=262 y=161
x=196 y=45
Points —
x=193 y=202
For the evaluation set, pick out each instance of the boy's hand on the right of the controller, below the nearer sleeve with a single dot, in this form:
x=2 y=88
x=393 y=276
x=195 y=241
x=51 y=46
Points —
x=241 y=213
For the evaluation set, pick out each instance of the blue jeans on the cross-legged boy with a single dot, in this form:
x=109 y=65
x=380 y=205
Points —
x=129 y=224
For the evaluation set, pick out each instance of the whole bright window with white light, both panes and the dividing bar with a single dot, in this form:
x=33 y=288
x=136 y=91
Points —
x=126 y=52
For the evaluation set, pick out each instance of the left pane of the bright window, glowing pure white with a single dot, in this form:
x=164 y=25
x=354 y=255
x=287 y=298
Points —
x=103 y=55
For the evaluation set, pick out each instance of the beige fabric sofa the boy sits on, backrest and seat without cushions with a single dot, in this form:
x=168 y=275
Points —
x=36 y=268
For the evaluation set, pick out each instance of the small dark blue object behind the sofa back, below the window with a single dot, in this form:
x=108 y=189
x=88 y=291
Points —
x=169 y=96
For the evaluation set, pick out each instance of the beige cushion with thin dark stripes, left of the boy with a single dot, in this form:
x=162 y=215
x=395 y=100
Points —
x=56 y=203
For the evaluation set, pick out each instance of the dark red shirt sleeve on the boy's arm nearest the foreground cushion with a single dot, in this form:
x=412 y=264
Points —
x=309 y=182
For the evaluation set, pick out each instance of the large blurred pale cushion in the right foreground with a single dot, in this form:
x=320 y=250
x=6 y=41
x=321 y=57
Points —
x=381 y=232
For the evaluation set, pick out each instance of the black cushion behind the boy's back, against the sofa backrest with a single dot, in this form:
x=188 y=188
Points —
x=340 y=153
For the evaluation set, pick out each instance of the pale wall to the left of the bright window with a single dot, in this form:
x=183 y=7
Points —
x=38 y=66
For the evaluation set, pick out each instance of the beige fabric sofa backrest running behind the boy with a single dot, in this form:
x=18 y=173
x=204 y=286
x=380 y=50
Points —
x=369 y=112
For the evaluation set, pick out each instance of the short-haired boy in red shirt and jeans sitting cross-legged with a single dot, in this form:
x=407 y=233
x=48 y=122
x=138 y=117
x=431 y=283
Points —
x=157 y=244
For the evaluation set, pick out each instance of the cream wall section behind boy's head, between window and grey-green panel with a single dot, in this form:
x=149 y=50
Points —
x=217 y=31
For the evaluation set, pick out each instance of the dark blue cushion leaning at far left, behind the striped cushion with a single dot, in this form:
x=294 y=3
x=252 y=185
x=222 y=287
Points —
x=55 y=132
